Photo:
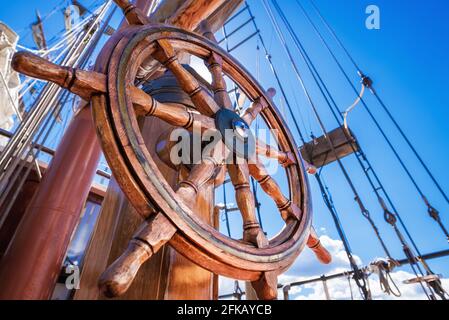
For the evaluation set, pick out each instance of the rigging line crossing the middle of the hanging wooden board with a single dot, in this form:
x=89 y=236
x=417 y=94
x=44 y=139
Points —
x=357 y=198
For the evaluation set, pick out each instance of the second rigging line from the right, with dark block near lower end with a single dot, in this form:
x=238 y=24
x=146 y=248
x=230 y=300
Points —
x=387 y=140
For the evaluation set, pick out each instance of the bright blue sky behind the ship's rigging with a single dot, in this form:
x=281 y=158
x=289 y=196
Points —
x=406 y=58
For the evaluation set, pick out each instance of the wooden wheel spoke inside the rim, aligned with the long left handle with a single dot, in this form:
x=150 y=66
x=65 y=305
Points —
x=174 y=114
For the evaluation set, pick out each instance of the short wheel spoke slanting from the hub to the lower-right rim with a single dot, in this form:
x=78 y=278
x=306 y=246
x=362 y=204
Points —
x=287 y=208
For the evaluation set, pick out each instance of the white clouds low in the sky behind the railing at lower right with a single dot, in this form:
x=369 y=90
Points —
x=307 y=266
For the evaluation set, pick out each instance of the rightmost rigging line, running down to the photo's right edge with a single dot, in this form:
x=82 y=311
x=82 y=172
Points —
x=386 y=109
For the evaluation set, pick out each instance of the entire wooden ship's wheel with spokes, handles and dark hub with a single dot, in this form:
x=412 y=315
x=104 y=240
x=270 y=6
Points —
x=117 y=103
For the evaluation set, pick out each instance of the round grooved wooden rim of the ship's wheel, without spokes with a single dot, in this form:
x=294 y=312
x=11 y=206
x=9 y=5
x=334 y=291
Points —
x=216 y=252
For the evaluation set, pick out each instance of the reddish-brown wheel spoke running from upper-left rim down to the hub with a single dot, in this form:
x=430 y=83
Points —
x=166 y=55
